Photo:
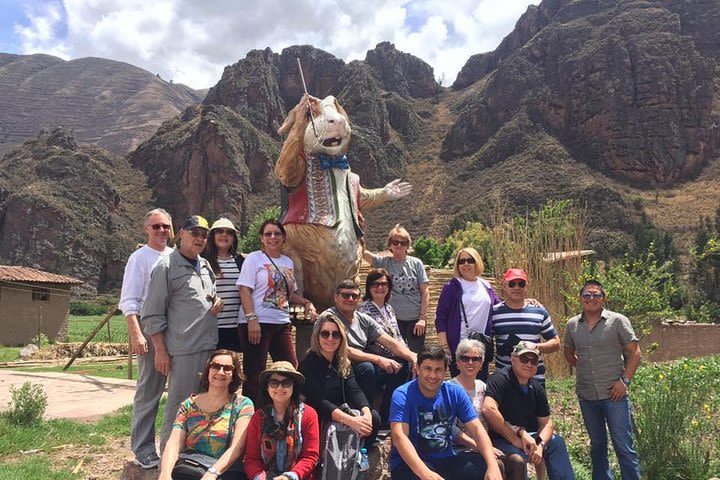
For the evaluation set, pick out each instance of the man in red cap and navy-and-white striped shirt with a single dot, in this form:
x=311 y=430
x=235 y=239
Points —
x=517 y=318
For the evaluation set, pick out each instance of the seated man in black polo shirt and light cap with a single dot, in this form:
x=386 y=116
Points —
x=517 y=410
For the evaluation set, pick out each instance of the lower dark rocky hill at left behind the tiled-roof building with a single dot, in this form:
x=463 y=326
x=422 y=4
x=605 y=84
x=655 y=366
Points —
x=70 y=209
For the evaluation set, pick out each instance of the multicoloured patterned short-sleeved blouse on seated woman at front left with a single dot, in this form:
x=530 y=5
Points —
x=211 y=432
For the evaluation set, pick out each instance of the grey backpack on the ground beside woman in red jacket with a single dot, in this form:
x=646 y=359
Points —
x=339 y=457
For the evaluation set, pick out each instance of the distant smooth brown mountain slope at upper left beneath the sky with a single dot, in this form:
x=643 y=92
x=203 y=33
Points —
x=111 y=104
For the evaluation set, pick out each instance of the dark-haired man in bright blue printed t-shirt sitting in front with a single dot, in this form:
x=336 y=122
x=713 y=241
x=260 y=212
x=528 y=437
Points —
x=422 y=414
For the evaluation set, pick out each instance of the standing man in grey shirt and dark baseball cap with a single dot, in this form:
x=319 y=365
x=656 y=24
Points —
x=179 y=315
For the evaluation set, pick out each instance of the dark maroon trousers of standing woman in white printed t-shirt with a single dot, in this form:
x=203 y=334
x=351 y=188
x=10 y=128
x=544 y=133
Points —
x=274 y=339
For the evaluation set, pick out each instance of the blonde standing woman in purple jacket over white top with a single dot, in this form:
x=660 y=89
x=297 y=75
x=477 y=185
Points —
x=465 y=304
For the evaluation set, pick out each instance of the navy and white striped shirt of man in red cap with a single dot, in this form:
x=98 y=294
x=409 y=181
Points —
x=512 y=325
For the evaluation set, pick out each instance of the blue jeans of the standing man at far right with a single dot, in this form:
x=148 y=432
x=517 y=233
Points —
x=616 y=414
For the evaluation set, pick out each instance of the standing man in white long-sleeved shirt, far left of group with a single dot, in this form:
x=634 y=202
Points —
x=151 y=383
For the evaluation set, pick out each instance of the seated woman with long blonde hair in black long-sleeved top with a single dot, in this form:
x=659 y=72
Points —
x=330 y=381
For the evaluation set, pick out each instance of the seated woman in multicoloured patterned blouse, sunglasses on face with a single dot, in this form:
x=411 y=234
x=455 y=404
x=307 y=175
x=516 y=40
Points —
x=214 y=422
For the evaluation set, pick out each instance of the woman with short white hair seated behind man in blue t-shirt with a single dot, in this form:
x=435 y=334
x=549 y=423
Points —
x=470 y=357
